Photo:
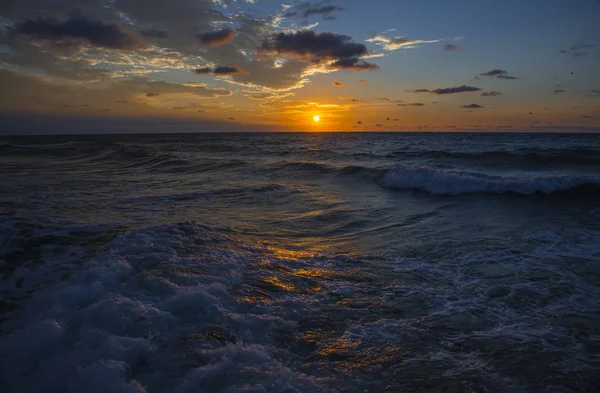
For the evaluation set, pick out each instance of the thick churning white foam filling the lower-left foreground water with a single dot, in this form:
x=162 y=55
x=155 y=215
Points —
x=133 y=319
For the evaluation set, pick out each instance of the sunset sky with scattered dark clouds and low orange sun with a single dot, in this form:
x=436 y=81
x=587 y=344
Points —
x=266 y=65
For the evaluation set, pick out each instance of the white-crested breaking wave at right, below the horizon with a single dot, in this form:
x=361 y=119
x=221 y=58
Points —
x=452 y=182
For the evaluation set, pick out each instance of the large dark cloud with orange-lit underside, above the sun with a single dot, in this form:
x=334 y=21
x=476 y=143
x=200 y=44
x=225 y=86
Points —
x=337 y=50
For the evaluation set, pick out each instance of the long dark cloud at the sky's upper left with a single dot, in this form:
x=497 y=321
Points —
x=79 y=27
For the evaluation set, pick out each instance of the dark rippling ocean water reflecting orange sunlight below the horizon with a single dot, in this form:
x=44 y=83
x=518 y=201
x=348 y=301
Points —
x=300 y=263
